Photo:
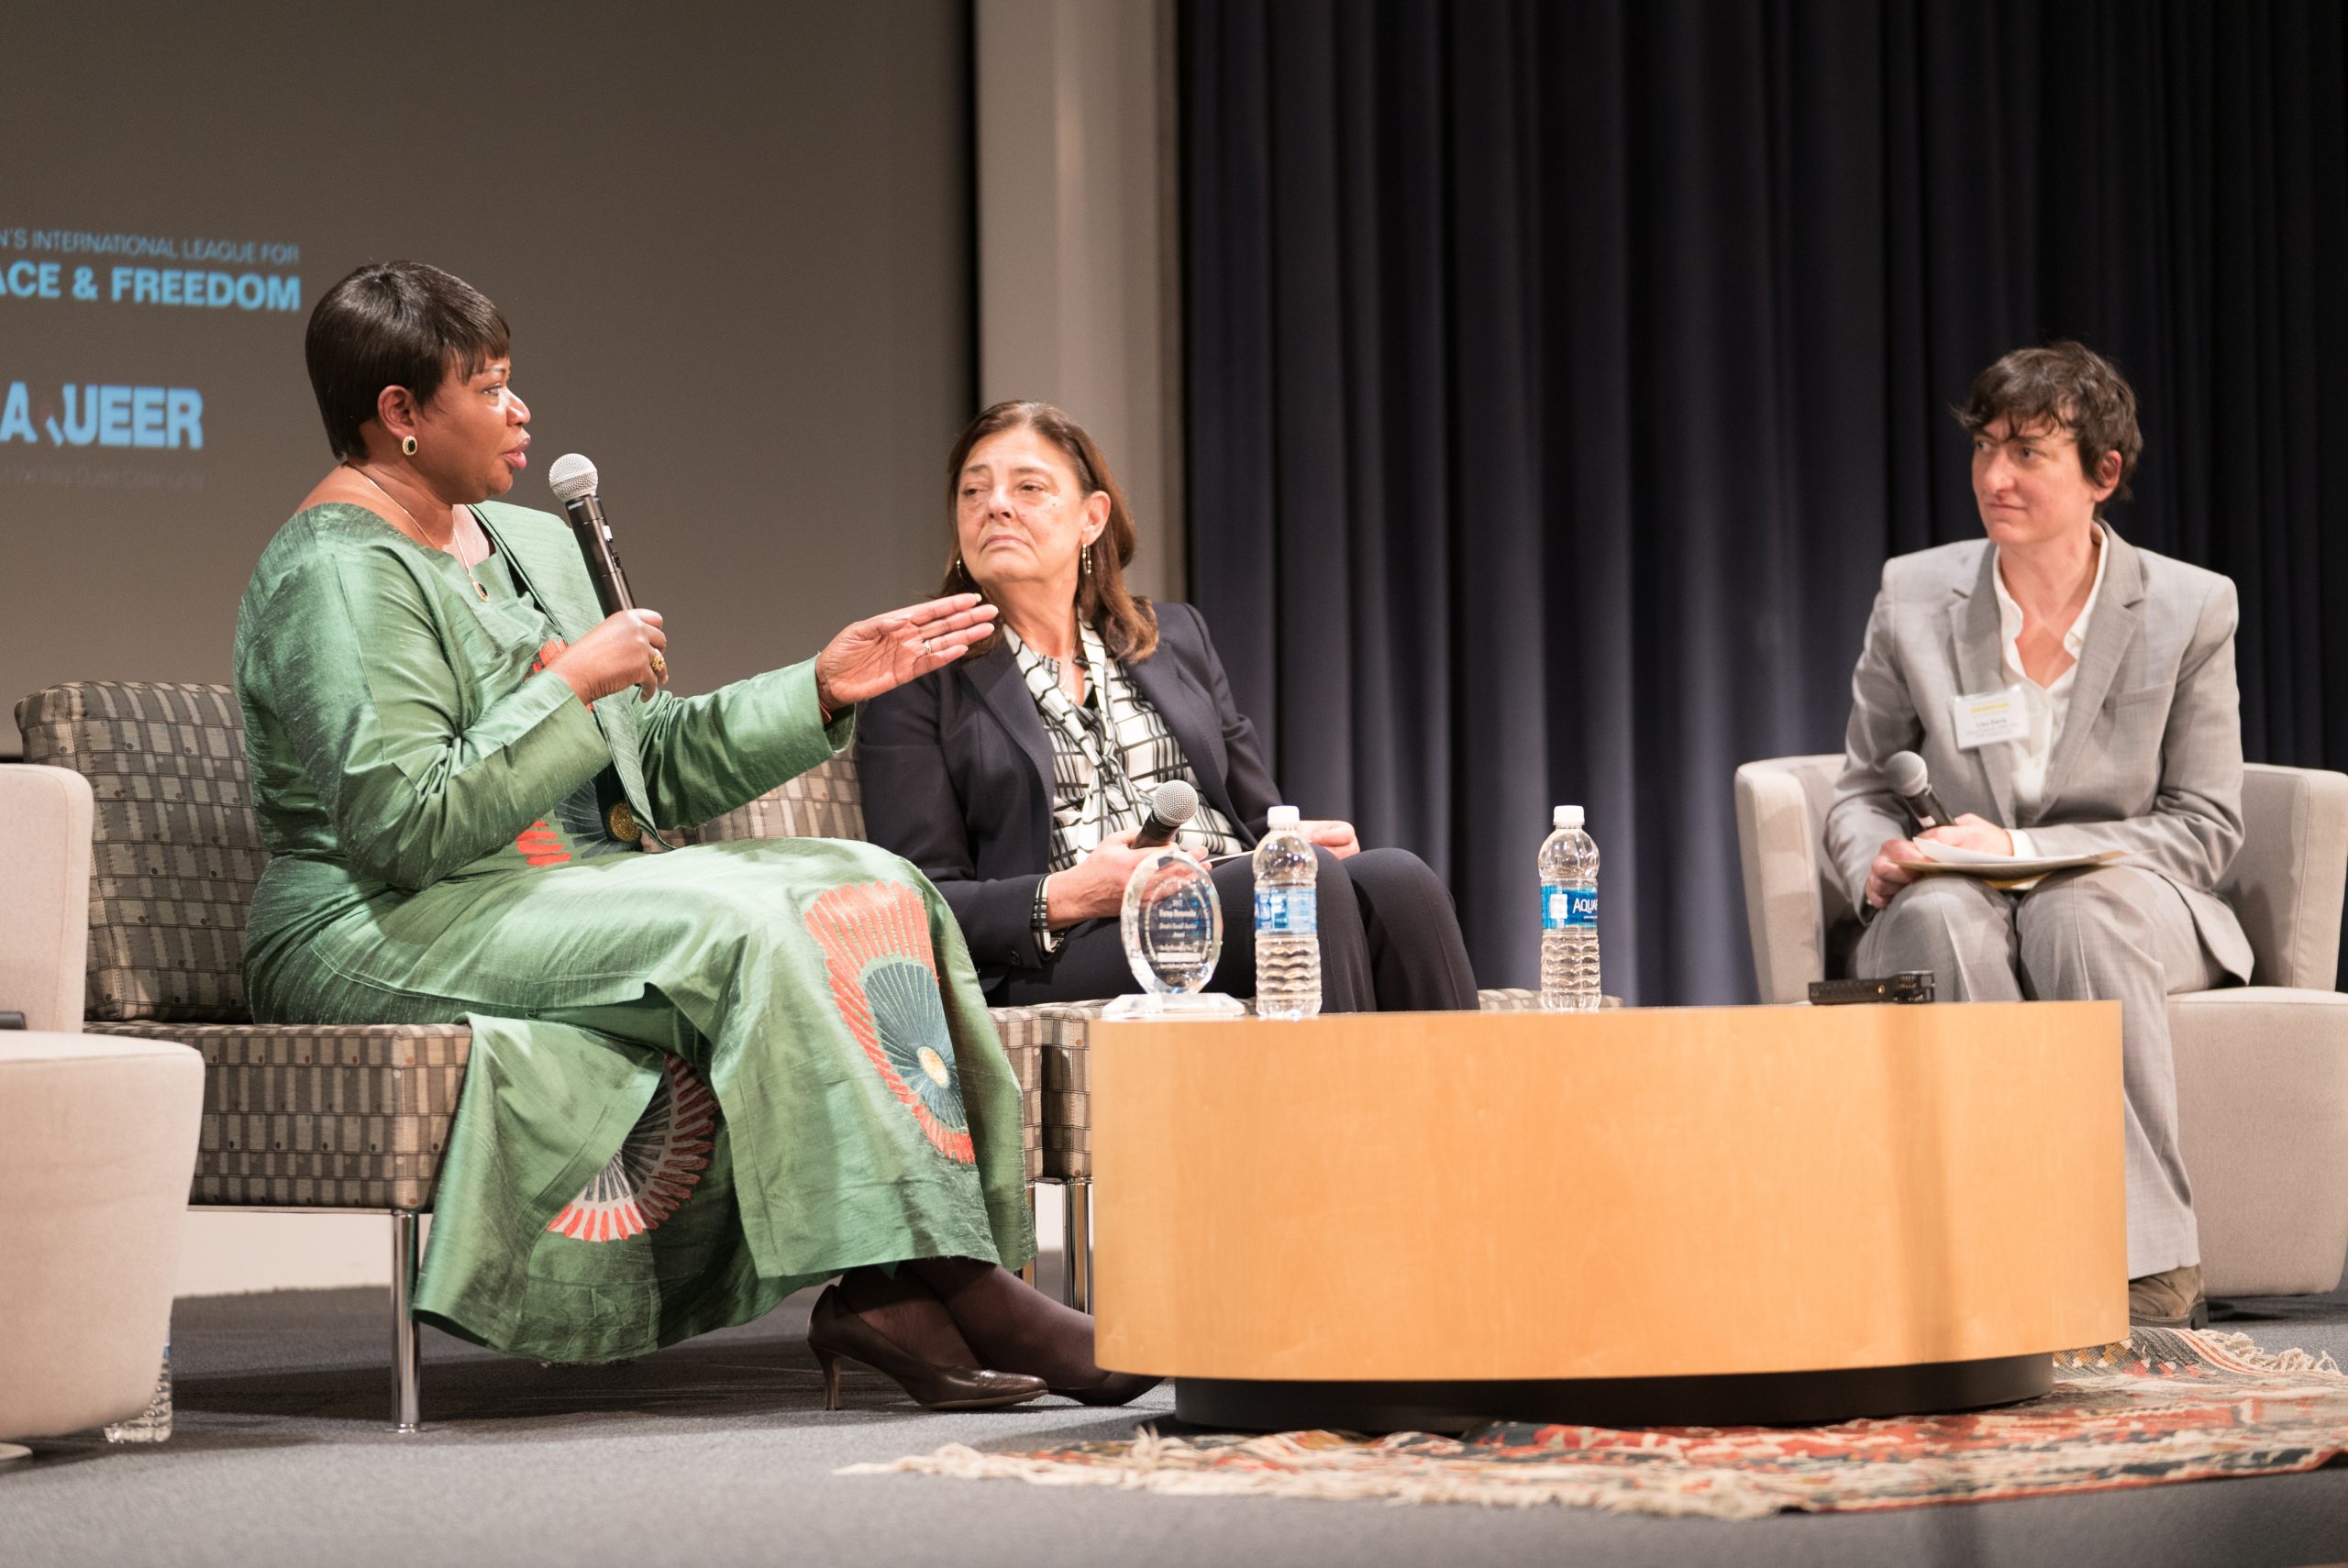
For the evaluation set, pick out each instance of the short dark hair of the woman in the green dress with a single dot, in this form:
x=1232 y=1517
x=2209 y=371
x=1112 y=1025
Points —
x=396 y=325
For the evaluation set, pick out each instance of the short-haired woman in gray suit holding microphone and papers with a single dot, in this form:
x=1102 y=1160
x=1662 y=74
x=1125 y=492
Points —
x=2070 y=694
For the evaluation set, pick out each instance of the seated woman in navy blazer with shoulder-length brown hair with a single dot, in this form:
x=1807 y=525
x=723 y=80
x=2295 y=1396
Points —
x=962 y=771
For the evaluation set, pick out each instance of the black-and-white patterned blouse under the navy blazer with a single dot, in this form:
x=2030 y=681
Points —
x=1102 y=790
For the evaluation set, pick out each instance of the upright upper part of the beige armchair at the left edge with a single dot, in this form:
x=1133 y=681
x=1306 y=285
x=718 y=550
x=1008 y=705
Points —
x=46 y=895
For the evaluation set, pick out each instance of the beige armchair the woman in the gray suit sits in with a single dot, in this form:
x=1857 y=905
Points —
x=2262 y=1072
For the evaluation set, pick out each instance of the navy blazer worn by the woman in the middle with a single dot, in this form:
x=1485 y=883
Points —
x=957 y=778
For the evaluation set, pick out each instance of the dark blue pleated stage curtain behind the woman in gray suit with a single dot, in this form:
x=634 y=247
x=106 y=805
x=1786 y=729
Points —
x=1560 y=377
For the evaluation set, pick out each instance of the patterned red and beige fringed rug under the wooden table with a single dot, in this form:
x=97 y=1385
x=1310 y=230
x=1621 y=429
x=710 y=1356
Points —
x=2159 y=1407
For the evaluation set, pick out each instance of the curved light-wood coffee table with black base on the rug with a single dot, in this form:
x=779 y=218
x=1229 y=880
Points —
x=1645 y=1217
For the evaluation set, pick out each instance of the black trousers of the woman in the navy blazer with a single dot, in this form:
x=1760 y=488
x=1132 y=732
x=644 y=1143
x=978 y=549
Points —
x=1391 y=942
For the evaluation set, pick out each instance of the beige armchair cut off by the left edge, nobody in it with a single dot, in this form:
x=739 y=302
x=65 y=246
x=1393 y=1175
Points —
x=97 y=1144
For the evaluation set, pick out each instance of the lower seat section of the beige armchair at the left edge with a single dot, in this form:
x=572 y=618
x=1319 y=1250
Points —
x=97 y=1140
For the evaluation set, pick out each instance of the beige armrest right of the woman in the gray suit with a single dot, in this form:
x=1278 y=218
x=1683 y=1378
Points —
x=2286 y=884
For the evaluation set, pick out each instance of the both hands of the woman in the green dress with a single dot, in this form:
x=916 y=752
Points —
x=865 y=661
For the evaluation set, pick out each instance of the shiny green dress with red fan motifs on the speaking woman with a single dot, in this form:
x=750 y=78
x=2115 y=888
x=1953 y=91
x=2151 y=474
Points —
x=699 y=1079
